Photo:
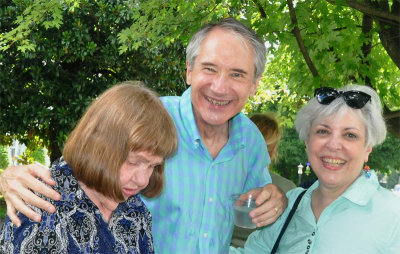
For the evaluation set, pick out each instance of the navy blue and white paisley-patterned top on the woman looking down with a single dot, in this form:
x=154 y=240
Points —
x=77 y=226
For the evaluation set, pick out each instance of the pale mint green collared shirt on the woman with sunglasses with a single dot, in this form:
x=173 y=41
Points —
x=364 y=219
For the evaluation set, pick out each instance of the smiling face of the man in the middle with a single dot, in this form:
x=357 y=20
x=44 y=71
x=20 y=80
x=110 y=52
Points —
x=222 y=78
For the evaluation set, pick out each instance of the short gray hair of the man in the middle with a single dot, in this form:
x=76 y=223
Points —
x=233 y=25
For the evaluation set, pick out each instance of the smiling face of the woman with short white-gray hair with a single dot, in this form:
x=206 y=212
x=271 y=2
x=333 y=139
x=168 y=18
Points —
x=337 y=149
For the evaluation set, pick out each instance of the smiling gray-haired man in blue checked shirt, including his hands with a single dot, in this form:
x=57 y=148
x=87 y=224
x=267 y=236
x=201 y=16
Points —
x=220 y=151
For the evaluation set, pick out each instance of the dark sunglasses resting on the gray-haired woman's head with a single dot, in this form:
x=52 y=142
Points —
x=353 y=98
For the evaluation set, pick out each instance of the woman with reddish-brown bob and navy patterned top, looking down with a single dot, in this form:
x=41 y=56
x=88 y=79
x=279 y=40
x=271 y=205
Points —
x=116 y=151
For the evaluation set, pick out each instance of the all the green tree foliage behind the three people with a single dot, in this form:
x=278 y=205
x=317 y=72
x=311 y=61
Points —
x=60 y=54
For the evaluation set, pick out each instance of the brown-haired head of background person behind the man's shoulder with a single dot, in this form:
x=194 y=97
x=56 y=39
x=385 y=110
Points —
x=268 y=124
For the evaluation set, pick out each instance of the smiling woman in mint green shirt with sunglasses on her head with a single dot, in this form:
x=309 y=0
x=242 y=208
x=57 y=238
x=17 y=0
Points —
x=346 y=210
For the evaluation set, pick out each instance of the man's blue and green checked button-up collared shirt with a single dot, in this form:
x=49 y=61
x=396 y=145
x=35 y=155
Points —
x=194 y=213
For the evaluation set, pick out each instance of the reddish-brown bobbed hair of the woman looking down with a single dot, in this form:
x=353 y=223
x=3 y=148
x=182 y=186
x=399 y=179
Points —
x=127 y=117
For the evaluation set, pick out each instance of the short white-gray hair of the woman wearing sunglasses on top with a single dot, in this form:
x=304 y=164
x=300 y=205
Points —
x=371 y=115
